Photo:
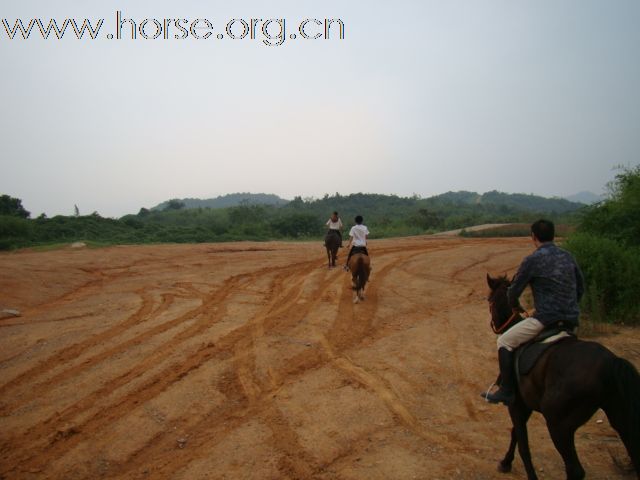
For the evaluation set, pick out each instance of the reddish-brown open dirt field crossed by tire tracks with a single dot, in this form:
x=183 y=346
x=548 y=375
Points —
x=249 y=361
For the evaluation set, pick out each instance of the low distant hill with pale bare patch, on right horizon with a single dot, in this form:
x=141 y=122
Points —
x=515 y=201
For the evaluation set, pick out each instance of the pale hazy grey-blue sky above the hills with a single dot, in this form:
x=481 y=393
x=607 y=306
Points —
x=419 y=97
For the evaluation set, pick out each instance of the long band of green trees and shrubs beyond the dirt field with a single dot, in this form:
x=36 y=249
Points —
x=385 y=215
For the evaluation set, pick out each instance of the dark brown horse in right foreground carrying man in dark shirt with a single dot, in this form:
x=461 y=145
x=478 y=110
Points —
x=568 y=384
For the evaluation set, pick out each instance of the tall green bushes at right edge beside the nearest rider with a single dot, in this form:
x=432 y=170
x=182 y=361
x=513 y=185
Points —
x=607 y=248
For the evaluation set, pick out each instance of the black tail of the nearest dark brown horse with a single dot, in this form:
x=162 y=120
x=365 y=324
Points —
x=624 y=410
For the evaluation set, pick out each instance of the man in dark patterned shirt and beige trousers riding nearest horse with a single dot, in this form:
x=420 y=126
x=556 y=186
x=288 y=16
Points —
x=557 y=286
